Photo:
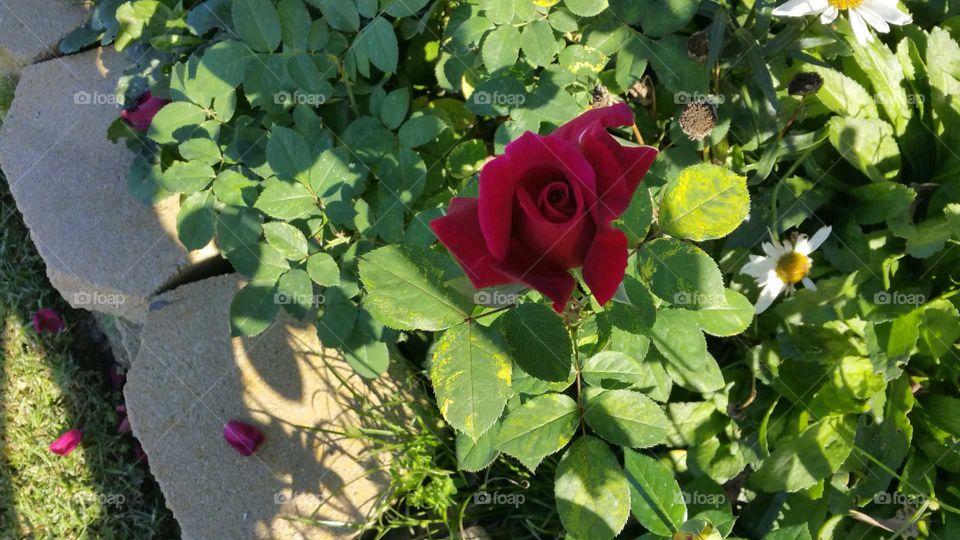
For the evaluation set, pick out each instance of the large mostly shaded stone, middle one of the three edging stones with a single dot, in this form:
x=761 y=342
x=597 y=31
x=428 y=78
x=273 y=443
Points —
x=104 y=250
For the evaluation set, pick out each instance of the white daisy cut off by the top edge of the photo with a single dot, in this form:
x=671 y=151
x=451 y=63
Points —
x=879 y=14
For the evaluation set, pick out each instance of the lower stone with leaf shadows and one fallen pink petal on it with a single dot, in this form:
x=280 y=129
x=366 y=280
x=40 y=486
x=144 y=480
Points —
x=191 y=377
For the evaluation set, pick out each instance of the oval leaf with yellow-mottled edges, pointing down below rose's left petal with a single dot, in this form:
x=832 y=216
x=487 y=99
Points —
x=471 y=377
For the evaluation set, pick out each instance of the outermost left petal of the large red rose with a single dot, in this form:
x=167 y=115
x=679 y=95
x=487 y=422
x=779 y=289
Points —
x=460 y=232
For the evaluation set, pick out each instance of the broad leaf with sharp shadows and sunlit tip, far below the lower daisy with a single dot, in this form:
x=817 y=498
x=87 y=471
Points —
x=812 y=456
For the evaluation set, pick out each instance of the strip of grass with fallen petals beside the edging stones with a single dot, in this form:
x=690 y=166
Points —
x=49 y=384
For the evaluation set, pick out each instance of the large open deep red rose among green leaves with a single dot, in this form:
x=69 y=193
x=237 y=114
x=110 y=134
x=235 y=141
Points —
x=547 y=206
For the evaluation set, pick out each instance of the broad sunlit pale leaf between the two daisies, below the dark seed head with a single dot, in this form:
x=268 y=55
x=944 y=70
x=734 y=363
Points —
x=869 y=145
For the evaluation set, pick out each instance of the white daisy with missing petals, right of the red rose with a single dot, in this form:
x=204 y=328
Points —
x=784 y=266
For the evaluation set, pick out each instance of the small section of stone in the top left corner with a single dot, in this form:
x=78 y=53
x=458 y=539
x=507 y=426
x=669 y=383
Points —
x=30 y=30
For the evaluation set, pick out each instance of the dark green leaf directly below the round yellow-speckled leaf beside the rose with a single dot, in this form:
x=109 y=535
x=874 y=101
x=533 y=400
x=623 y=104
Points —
x=681 y=274
